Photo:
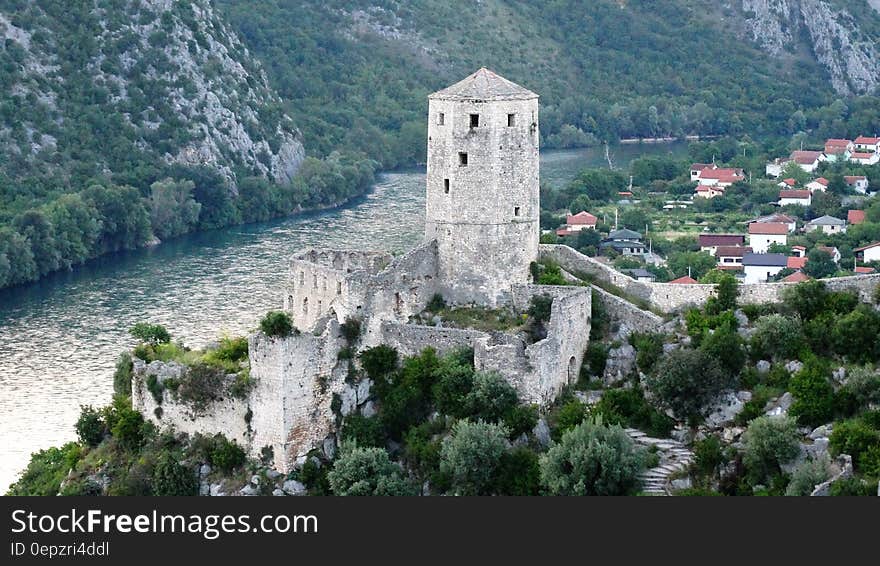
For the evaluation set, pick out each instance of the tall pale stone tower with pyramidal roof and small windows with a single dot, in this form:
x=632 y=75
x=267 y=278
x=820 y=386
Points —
x=483 y=186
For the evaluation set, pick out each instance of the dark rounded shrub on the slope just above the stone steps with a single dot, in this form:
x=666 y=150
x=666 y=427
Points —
x=686 y=380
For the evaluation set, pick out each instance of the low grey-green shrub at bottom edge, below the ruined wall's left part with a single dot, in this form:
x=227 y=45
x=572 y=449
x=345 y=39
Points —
x=367 y=471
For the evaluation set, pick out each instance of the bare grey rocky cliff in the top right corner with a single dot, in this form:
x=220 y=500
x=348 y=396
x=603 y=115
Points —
x=834 y=32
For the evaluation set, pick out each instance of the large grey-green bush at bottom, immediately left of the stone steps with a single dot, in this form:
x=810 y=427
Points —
x=593 y=459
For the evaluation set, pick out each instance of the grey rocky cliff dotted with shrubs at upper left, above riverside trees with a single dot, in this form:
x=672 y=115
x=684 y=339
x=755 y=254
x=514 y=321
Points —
x=164 y=80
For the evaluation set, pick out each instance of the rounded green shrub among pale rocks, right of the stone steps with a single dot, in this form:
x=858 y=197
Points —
x=768 y=443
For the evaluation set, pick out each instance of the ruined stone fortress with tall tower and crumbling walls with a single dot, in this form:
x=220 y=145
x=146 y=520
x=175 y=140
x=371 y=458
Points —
x=481 y=235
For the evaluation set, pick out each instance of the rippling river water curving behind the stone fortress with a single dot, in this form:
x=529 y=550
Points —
x=59 y=338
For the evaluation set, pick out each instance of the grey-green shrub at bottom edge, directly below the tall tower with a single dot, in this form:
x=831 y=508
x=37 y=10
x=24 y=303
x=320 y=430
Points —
x=471 y=455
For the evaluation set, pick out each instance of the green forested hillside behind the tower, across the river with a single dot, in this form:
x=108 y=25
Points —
x=355 y=73
